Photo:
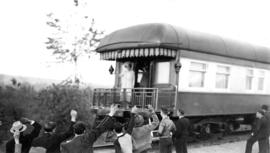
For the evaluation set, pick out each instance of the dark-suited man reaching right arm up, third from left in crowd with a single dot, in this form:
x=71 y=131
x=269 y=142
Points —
x=83 y=141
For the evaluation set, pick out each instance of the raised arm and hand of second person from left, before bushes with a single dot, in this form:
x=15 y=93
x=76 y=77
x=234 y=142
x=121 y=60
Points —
x=69 y=132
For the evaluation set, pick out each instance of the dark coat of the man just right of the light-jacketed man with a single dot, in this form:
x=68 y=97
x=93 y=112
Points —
x=182 y=128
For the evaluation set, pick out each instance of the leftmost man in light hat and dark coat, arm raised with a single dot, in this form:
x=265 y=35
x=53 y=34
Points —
x=24 y=139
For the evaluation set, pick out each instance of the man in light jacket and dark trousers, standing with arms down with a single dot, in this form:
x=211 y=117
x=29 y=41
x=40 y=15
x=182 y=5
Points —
x=165 y=130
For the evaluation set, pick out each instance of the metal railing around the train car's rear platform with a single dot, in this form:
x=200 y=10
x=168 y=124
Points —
x=104 y=97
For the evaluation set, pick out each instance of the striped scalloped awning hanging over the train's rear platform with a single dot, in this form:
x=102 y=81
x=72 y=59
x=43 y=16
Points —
x=139 y=52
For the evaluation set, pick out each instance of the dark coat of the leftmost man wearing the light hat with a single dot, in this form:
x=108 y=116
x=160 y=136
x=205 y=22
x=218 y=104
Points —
x=25 y=140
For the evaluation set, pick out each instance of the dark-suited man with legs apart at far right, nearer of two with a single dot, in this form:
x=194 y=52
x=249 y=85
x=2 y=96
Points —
x=260 y=134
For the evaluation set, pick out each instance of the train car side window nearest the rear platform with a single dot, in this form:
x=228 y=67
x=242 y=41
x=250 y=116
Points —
x=197 y=74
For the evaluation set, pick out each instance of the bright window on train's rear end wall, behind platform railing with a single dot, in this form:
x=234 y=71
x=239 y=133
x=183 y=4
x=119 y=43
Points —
x=162 y=72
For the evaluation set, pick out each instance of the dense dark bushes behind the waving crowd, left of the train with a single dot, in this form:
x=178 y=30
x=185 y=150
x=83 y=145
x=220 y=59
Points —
x=51 y=104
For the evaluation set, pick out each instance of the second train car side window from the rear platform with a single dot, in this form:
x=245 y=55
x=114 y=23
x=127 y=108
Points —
x=222 y=77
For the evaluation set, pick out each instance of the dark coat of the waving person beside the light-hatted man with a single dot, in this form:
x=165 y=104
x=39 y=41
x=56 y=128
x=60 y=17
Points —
x=51 y=141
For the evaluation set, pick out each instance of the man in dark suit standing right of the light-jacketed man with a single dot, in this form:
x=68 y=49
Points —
x=182 y=132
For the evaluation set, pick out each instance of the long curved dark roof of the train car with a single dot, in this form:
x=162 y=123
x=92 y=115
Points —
x=168 y=36
